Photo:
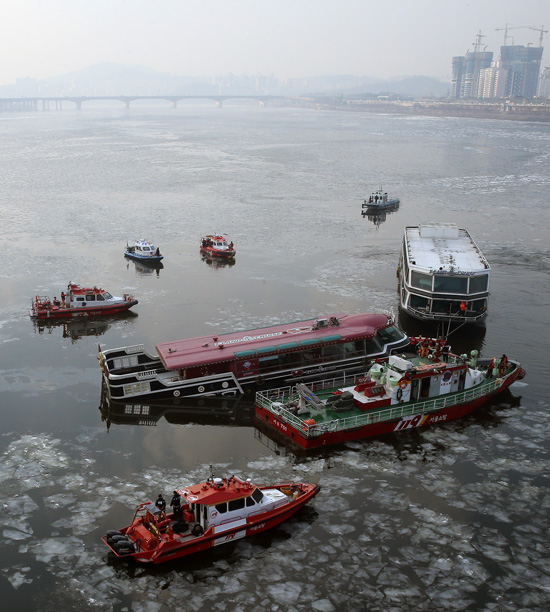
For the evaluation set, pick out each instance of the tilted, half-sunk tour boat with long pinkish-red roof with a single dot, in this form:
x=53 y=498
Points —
x=237 y=362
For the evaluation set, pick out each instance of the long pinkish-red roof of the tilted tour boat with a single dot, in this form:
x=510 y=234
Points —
x=204 y=350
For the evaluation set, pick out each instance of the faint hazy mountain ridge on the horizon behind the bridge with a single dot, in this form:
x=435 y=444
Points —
x=109 y=79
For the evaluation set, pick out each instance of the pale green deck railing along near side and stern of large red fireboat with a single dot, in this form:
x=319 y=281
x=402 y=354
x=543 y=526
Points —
x=370 y=417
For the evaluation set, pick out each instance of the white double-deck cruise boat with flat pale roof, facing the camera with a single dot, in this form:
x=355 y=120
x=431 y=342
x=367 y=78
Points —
x=443 y=275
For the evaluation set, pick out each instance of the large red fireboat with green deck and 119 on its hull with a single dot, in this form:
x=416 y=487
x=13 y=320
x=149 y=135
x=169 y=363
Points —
x=396 y=393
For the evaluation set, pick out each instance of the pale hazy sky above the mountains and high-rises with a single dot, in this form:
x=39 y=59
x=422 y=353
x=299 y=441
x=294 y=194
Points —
x=286 y=38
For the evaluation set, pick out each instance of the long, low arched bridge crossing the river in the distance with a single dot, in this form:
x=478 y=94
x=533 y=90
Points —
x=56 y=102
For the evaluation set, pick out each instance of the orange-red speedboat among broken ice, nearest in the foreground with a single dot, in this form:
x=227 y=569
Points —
x=205 y=515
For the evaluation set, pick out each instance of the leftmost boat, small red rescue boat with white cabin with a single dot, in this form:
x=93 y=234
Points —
x=80 y=302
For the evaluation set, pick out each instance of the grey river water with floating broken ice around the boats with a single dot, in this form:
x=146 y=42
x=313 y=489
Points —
x=449 y=518
